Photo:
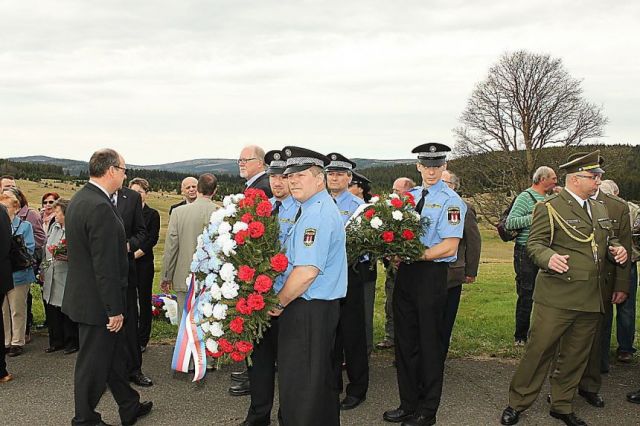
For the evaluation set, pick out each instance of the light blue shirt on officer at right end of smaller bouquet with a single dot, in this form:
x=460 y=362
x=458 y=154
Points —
x=442 y=215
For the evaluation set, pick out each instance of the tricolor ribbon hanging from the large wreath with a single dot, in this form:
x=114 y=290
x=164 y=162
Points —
x=190 y=342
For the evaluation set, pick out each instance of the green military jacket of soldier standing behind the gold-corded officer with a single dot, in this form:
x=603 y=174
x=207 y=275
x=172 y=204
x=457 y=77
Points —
x=617 y=276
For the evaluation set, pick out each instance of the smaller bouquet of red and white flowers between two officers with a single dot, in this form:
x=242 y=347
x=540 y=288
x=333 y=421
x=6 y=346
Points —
x=387 y=227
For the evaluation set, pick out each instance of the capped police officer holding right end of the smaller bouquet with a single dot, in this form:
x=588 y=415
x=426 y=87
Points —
x=420 y=294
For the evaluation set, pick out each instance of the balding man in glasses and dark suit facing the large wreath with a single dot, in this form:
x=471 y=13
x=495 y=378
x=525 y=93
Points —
x=95 y=294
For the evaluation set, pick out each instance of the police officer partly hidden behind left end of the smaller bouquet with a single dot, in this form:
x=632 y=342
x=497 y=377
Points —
x=351 y=338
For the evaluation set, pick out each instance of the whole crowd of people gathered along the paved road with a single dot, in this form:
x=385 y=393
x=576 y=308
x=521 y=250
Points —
x=574 y=259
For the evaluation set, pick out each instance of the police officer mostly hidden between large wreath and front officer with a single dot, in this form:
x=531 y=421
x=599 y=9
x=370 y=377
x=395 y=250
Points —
x=262 y=372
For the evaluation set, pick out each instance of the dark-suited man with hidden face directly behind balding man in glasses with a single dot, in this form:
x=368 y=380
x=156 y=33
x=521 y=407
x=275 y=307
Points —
x=129 y=205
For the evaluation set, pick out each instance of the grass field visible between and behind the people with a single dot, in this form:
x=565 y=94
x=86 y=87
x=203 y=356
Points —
x=484 y=326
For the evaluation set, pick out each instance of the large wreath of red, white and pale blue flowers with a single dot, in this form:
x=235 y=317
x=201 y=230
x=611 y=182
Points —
x=236 y=261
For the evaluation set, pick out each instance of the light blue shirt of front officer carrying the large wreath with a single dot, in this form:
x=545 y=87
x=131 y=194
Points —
x=318 y=239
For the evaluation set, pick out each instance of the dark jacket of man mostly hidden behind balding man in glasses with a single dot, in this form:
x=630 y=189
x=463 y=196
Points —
x=130 y=210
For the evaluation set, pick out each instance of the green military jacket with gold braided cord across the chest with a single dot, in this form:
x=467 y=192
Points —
x=580 y=288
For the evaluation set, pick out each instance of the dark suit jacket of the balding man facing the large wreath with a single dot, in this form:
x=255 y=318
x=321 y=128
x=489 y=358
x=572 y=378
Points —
x=98 y=266
